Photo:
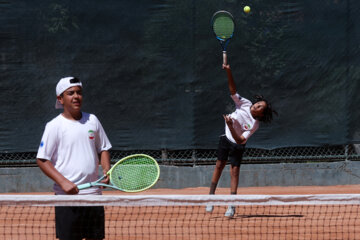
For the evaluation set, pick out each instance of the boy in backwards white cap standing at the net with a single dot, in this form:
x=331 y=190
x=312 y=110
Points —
x=72 y=146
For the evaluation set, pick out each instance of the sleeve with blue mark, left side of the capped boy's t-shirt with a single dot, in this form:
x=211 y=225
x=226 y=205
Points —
x=48 y=143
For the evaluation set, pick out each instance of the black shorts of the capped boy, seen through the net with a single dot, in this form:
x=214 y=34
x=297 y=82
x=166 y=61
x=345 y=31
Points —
x=80 y=222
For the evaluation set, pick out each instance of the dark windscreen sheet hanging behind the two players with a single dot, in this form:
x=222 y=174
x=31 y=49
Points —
x=301 y=55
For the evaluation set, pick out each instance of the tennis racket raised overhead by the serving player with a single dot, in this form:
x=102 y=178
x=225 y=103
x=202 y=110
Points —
x=223 y=25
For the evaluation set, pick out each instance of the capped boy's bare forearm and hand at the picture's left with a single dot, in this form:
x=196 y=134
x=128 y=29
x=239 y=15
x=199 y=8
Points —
x=50 y=171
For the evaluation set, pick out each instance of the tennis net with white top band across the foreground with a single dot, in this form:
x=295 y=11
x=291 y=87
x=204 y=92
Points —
x=184 y=216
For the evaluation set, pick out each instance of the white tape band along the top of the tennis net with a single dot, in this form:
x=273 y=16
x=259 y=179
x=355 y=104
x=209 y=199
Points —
x=178 y=200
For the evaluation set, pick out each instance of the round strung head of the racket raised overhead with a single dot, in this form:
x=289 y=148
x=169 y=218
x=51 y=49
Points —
x=223 y=26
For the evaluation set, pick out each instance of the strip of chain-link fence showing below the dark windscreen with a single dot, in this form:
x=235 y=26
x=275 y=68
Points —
x=196 y=157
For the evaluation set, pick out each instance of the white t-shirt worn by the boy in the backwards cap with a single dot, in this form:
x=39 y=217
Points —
x=73 y=148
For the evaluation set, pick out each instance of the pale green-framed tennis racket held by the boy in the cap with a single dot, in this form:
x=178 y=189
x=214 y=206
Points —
x=133 y=173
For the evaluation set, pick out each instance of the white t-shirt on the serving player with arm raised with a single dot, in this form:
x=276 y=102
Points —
x=244 y=123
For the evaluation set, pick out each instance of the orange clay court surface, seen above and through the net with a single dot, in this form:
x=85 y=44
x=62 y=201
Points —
x=192 y=222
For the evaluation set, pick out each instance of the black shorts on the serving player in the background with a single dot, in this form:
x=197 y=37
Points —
x=229 y=150
